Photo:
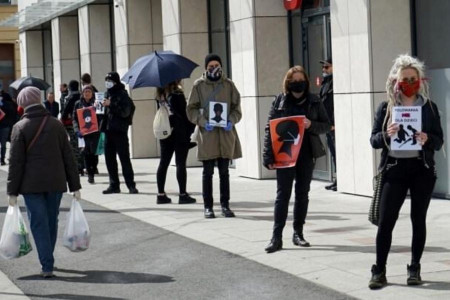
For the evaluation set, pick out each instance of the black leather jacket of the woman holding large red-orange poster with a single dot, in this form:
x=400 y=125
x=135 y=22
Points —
x=316 y=113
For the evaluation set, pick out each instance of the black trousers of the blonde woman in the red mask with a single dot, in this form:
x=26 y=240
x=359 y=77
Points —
x=404 y=174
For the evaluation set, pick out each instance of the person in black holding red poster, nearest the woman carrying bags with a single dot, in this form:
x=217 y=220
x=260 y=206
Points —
x=91 y=139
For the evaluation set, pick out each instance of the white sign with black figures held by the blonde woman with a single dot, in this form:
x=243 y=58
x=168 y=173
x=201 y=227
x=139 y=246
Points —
x=409 y=120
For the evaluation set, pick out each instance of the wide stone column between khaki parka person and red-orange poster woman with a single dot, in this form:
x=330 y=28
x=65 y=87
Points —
x=260 y=59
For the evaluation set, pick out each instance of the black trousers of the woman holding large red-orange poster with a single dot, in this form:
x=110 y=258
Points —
x=302 y=173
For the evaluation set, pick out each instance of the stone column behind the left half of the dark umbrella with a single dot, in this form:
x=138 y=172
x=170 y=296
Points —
x=138 y=31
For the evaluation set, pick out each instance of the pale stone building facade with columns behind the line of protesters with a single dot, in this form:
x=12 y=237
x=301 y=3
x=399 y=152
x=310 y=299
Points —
x=258 y=41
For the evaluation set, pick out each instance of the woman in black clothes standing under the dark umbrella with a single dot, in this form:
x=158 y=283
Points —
x=178 y=142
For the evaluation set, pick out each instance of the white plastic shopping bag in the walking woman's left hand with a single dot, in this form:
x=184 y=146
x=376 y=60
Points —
x=15 y=239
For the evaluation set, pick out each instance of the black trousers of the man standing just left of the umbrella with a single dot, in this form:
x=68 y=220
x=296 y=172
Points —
x=116 y=143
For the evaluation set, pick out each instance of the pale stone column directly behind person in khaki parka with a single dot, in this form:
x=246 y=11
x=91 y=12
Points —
x=185 y=31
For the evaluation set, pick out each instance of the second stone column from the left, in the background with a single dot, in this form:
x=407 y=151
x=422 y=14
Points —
x=66 y=53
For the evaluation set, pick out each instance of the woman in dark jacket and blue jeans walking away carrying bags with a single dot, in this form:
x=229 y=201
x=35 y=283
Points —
x=41 y=166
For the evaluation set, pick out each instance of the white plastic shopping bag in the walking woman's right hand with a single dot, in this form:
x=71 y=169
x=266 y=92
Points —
x=77 y=234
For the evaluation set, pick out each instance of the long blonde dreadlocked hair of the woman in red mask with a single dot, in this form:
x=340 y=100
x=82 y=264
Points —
x=401 y=63
